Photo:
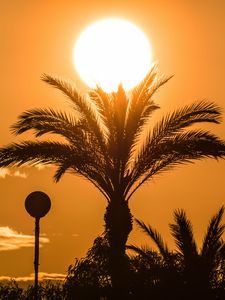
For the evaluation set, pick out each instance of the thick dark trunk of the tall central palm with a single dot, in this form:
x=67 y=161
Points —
x=118 y=223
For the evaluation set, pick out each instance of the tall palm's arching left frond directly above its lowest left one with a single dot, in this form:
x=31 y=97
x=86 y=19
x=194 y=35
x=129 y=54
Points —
x=44 y=121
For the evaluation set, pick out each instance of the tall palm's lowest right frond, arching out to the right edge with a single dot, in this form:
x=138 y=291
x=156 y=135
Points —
x=179 y=149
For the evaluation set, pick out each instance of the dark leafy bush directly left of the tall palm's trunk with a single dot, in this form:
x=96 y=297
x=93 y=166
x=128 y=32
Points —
x=89 y=277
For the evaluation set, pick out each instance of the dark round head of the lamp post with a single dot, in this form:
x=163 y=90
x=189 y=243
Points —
x=37 y=204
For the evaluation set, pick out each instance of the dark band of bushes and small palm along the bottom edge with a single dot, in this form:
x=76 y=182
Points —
x=186 y=273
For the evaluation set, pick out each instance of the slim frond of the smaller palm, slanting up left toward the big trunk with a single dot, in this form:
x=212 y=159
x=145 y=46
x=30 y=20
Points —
x=155 y=236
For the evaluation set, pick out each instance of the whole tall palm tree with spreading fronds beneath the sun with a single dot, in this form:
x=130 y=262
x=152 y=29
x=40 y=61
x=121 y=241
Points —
x=104 y=143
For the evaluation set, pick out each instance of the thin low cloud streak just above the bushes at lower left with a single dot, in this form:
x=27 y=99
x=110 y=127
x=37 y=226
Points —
x=41 y=276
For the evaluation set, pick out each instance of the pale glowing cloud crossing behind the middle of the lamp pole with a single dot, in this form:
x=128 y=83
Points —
x=10 y=239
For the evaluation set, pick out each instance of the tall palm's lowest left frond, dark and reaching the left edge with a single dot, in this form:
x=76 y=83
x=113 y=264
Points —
x=66 y=157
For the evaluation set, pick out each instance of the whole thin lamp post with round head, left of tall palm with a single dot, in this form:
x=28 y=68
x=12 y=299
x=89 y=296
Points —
x=37 y=204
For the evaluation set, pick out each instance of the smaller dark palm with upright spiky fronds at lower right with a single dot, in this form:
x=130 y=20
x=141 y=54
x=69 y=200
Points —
x=200 y=269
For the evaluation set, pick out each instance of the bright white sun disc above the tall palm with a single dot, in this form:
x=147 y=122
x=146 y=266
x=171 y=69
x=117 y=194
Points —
x=110 y=52
